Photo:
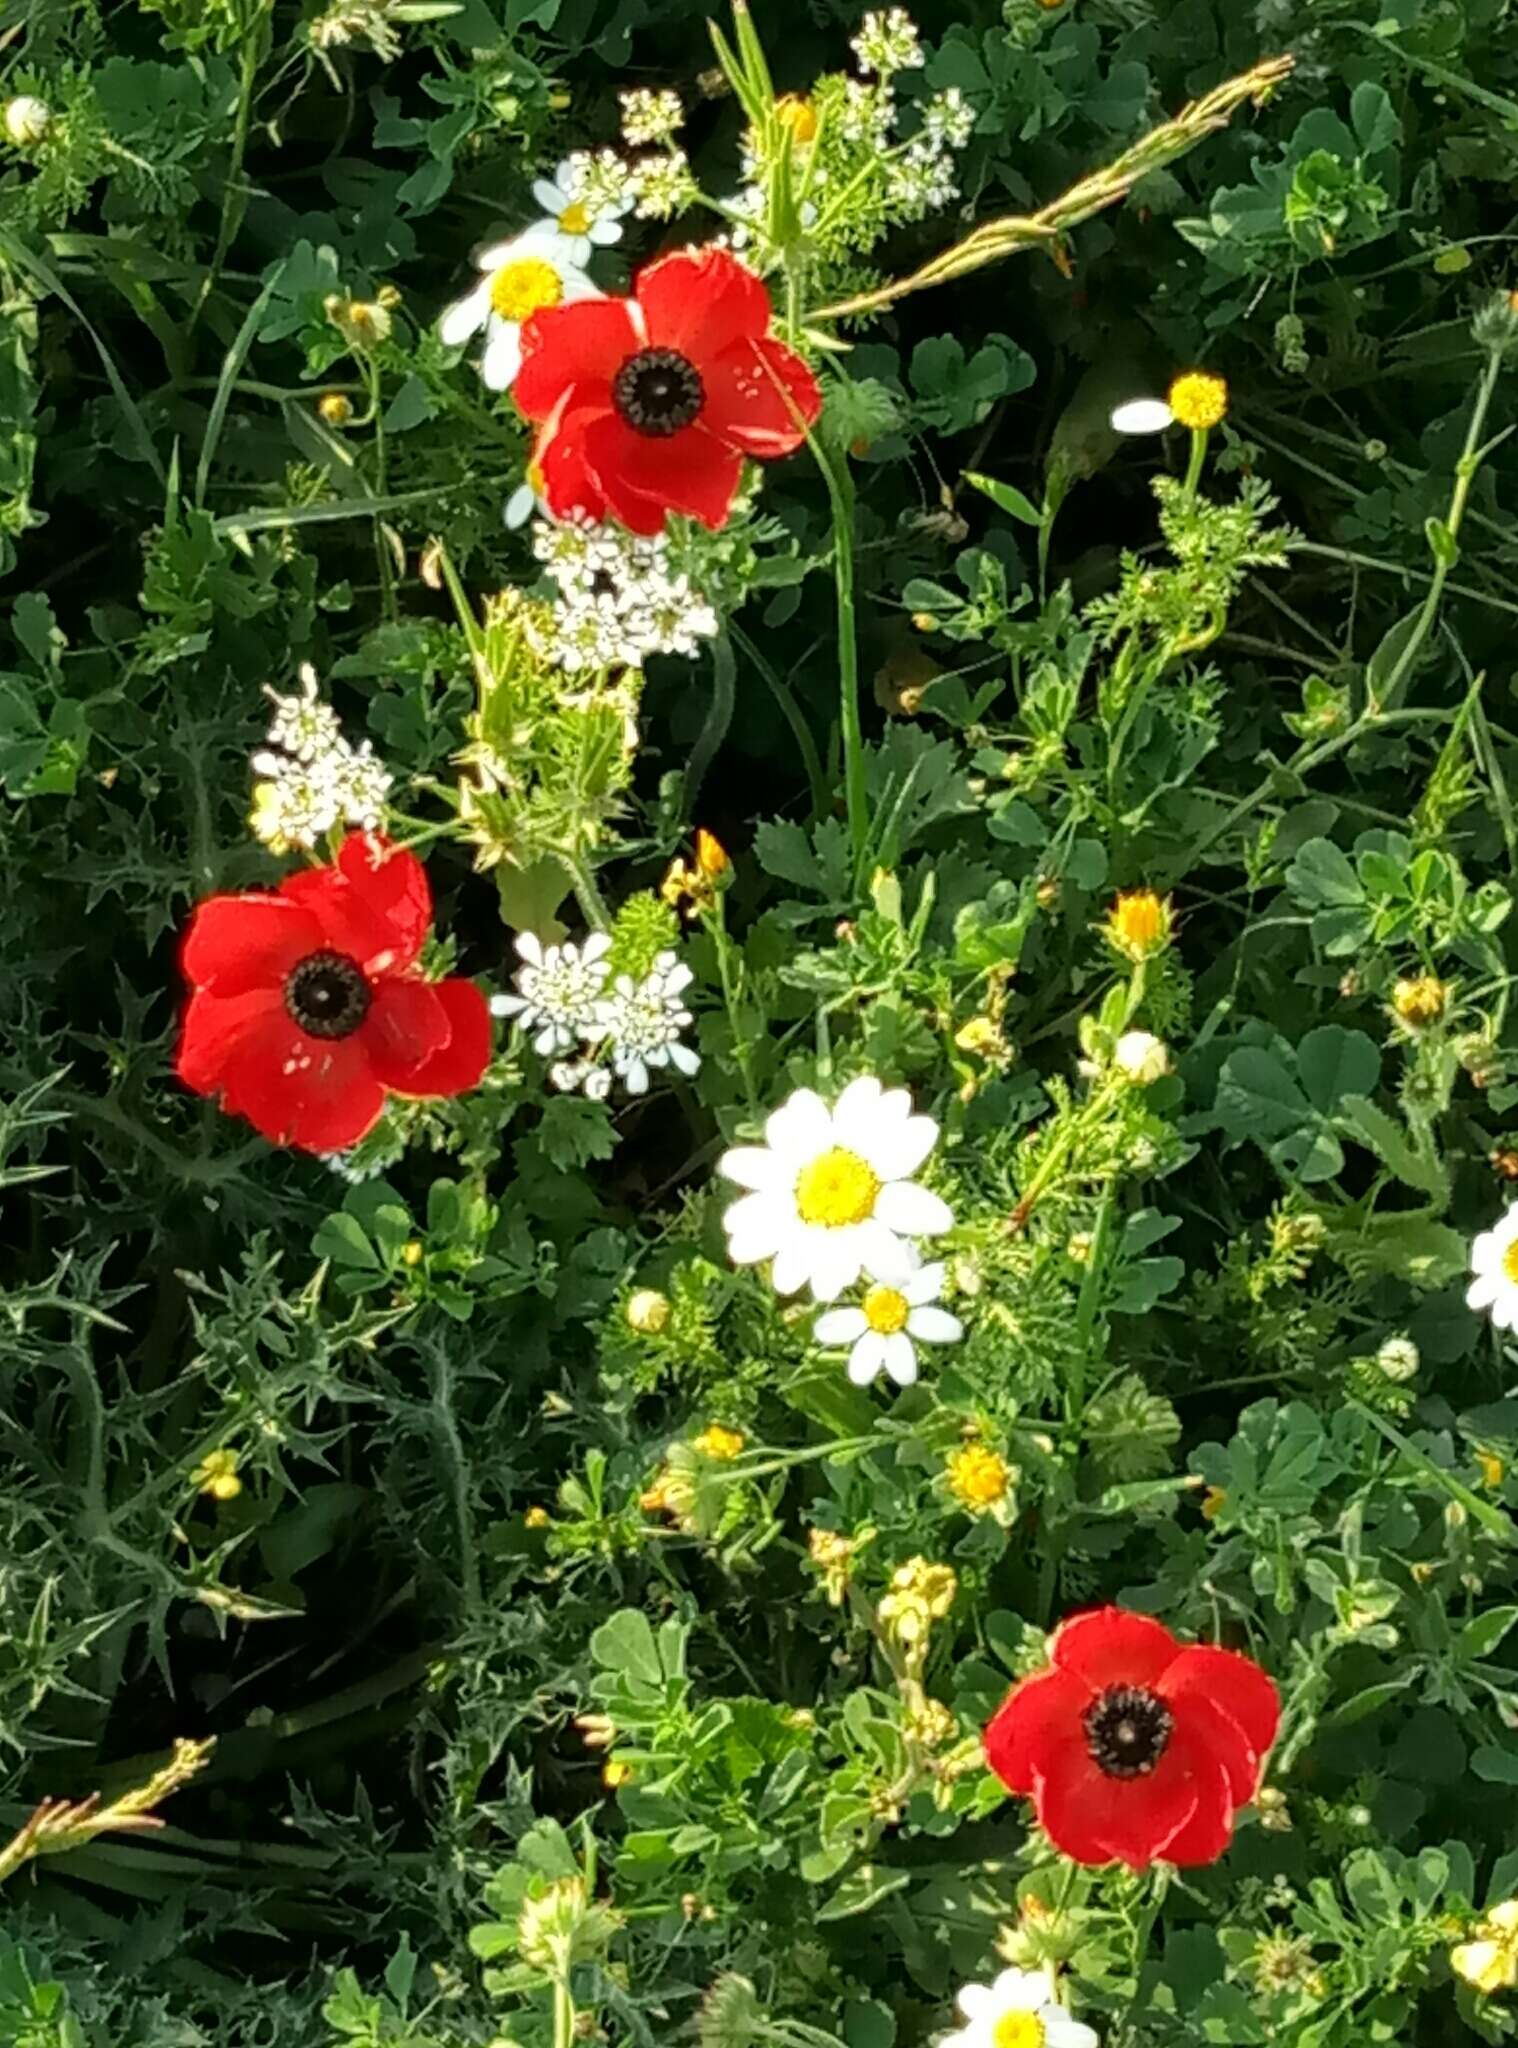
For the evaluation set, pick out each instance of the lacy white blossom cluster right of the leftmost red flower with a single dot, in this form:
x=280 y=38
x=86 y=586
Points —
x=622 y=1033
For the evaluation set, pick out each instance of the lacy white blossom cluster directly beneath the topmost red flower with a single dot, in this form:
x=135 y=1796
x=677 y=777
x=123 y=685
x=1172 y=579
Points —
x=620 y=599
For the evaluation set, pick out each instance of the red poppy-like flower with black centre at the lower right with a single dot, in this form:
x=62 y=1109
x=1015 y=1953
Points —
x=1134 y=1746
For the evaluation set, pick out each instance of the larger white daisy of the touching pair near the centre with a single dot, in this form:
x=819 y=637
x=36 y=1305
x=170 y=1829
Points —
x=831 y=1189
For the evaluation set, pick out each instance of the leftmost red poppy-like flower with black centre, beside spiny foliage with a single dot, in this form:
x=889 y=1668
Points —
x=308 y=1009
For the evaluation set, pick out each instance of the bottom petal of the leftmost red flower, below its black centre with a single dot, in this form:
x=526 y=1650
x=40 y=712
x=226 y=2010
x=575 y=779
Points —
x=312 y=1093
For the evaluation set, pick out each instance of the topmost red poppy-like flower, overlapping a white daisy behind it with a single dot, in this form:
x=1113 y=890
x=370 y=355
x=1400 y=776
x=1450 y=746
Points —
x=650 y=404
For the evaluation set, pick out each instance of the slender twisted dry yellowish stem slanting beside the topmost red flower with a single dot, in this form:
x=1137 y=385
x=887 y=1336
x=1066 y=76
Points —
x=995 y=241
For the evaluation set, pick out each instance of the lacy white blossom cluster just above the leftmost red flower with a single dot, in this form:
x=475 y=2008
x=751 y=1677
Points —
x=310 y=777
